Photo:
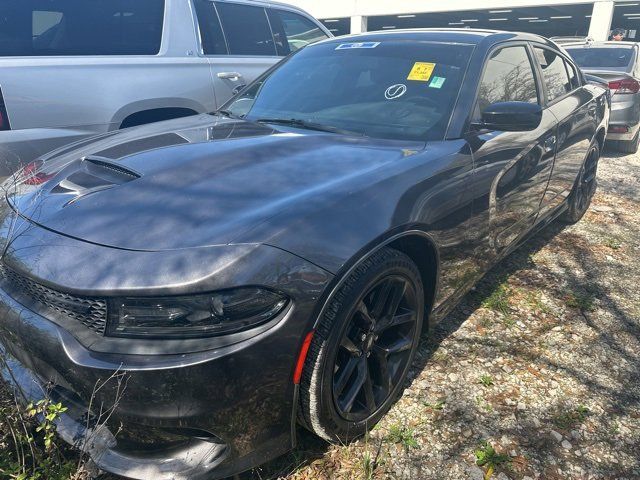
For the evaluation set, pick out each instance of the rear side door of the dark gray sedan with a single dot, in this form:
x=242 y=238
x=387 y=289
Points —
x=575 y=108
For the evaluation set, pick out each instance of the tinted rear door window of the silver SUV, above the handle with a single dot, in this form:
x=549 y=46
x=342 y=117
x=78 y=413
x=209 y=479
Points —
x=246 y=29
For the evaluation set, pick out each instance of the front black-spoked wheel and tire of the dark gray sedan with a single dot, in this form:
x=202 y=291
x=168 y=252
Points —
x=363 y=348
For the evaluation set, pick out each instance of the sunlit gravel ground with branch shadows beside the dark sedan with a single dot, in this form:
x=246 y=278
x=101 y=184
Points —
x=536 y=374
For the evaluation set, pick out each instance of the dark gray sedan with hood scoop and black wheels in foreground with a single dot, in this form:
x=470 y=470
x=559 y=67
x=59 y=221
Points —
x=275 y=263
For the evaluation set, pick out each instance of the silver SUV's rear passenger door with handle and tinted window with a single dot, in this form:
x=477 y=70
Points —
x=237 y=40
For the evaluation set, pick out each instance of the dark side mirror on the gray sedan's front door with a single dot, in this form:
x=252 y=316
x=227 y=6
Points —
x=511 y=117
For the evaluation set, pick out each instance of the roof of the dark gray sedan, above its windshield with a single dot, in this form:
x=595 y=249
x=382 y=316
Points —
x=452 y=35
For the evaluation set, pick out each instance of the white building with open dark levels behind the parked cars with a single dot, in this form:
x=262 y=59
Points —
x=595 y=18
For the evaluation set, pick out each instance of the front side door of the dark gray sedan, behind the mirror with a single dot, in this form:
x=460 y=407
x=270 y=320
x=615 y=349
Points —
x=512 y=168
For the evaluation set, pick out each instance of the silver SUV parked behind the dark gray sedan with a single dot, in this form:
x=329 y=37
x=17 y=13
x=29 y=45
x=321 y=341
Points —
x=70 y=69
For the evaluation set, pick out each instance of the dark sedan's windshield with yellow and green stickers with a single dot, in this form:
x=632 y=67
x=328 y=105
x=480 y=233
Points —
x=403 y=90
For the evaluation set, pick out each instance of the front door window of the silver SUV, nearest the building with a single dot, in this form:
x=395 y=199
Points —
x=292 y=31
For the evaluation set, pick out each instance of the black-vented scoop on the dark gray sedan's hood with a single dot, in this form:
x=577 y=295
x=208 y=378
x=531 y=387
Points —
x=93 y=174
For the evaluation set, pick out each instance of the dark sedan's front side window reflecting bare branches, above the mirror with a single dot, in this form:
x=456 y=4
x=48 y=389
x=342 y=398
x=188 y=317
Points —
x=508 y=77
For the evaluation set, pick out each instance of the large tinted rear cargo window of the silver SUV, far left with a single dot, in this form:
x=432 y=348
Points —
x=78 y=27
